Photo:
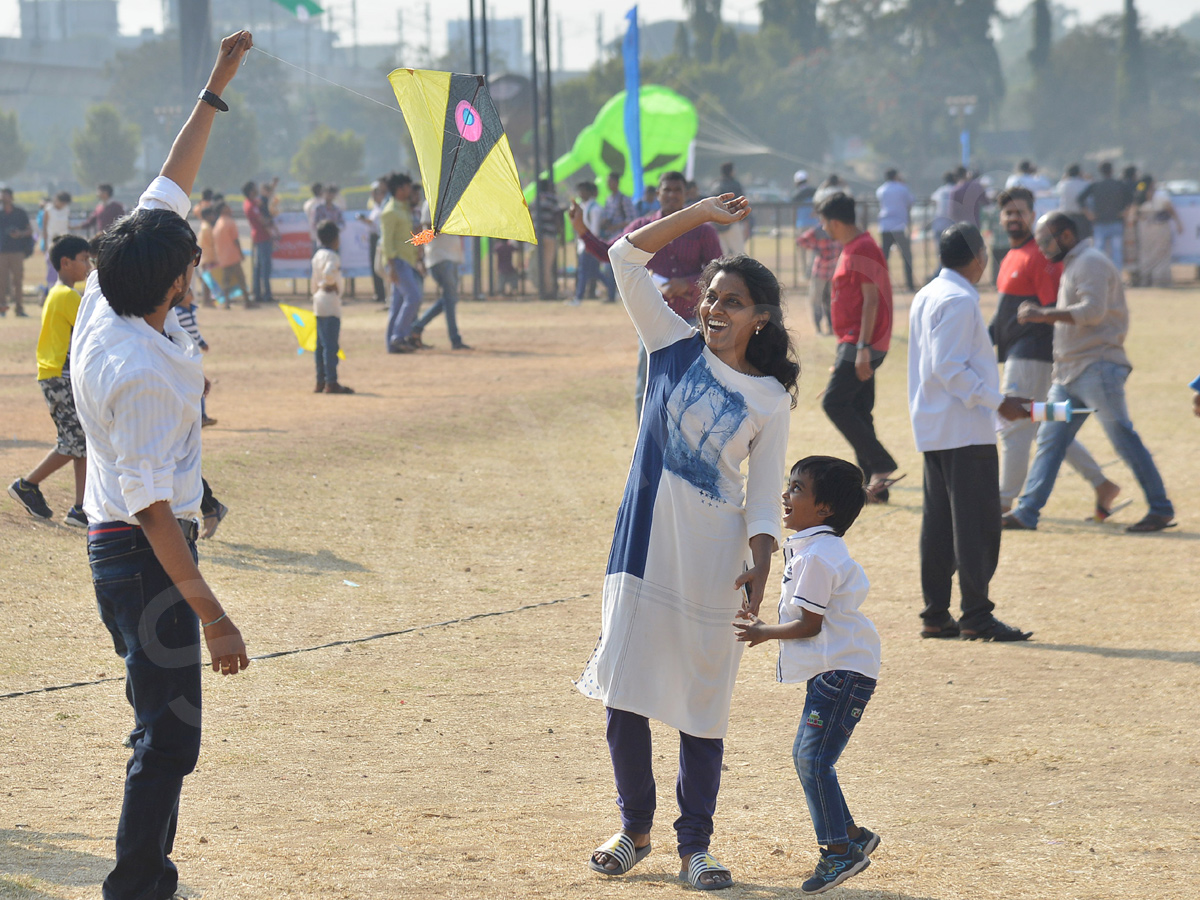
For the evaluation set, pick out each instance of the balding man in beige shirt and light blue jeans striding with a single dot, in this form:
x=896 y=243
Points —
x=1090 y=370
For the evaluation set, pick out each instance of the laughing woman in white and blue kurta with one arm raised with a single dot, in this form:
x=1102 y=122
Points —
x=694 y=537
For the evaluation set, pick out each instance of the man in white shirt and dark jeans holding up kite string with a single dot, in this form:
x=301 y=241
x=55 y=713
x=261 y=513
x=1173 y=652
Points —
x=139 y=386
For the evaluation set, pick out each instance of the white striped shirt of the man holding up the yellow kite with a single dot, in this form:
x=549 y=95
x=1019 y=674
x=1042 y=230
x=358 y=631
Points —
x=139 y=397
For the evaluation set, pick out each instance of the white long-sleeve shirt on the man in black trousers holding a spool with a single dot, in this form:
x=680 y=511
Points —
x=953 y=380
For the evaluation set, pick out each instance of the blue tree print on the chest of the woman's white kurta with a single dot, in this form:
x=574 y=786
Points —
x=703 y=416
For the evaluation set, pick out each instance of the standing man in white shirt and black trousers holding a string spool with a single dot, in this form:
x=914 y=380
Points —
x=953 y=398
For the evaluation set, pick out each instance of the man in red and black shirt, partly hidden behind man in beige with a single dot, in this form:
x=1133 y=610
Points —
x=1028 y=351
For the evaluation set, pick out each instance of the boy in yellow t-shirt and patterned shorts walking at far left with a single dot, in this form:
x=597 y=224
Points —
x=70 y=257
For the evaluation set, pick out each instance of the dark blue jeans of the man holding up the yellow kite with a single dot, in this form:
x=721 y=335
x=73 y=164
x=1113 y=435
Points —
x=158 y=634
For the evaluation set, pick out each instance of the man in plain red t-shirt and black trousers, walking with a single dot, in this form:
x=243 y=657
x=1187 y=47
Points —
x=862 y=321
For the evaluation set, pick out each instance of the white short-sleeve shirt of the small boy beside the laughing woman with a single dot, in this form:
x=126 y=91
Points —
x=821 y=577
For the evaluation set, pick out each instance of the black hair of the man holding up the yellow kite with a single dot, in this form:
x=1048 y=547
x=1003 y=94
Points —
x=140 y=259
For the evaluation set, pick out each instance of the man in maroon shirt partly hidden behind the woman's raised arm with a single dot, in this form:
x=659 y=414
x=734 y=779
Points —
x=676 y=268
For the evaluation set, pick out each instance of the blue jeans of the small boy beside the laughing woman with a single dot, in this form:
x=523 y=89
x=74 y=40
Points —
x=832 y=709
